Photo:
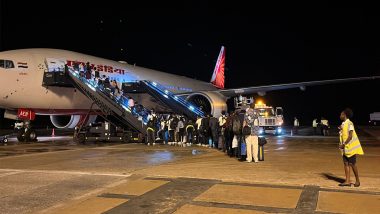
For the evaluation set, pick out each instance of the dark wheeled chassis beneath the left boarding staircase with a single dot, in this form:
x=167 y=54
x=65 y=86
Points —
x=104 y=131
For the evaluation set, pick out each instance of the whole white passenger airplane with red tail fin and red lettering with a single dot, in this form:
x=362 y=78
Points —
x=23 y=95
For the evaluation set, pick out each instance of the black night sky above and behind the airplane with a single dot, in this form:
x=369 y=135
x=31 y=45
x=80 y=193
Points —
x=263 y=45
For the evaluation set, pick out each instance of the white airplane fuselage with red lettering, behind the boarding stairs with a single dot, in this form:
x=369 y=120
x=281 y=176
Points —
x=21 y=86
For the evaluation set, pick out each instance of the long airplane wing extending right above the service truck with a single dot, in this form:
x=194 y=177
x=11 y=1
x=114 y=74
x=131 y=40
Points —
x=261 y=90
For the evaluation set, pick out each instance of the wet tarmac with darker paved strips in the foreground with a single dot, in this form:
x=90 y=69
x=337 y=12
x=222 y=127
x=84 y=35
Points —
x=299 y=174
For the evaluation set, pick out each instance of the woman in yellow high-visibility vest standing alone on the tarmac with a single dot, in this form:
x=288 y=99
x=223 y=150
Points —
x=350 y=147
